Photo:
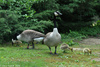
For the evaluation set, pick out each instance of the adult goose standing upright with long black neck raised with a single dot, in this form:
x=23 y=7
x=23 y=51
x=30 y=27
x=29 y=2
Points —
x=52 y=39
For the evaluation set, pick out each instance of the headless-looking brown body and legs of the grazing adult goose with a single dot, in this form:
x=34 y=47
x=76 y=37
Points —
x=29 y=36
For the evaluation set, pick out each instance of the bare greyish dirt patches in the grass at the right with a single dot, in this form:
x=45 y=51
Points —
x=90 y=41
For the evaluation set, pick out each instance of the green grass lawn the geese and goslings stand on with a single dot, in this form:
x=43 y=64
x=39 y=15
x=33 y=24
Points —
x=40 y=57
